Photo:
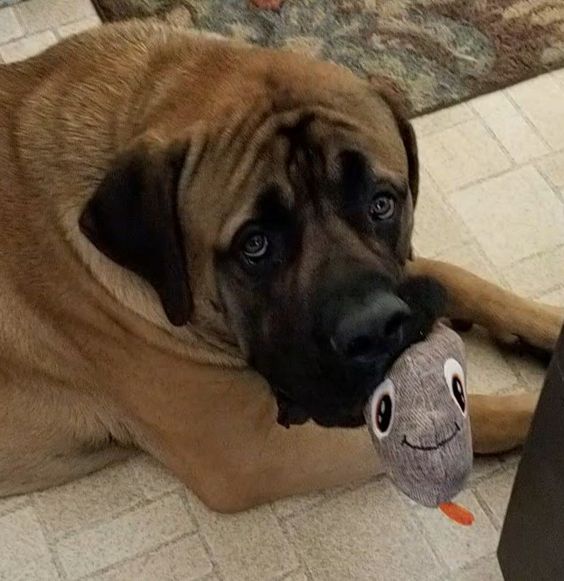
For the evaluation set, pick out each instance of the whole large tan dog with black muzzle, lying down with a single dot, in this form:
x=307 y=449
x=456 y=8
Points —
x=182 y=219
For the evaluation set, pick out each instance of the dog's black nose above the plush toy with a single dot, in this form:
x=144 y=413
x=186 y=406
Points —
x=371 y=328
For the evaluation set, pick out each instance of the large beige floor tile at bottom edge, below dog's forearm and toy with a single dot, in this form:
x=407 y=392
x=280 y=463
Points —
x=367 y=533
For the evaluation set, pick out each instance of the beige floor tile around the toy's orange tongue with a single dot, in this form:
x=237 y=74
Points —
x=458 y=545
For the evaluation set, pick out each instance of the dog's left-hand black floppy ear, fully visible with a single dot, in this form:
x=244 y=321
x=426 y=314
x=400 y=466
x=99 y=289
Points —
x=133 y=219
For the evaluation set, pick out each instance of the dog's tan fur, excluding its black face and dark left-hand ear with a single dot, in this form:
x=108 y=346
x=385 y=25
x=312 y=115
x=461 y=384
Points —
x=89 y=366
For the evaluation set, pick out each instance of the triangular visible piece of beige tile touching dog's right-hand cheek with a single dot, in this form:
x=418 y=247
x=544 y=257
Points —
x=437 y=226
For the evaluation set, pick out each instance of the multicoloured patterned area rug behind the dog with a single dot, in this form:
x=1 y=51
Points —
x=439 y=52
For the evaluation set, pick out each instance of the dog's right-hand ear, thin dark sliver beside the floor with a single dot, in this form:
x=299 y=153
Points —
x=400 y=107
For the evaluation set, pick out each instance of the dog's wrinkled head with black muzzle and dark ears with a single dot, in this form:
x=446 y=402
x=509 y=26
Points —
x=275 y=212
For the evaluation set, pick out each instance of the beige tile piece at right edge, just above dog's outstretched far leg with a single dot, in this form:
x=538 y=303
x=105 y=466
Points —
x=538 y=274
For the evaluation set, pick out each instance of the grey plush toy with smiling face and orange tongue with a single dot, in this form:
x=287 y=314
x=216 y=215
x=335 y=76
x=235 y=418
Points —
x=418 y=419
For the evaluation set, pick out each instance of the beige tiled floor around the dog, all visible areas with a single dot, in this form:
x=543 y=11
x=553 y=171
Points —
x=492 y=201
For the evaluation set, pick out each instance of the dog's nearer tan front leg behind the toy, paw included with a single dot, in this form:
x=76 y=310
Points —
x=253 y=460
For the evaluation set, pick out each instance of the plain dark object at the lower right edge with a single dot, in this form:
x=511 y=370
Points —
x=532 y=540
